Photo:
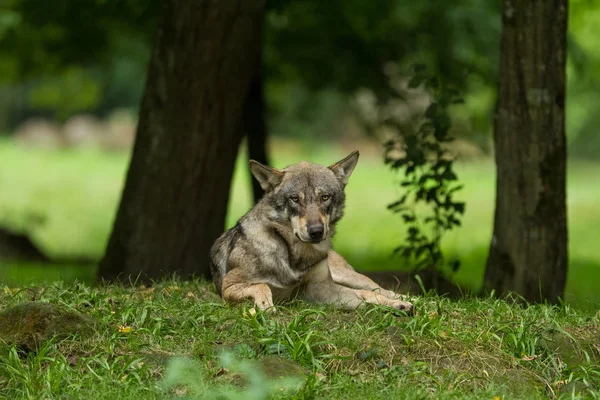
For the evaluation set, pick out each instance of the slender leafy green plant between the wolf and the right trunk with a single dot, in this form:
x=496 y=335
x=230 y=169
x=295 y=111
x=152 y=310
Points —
x=429 y=180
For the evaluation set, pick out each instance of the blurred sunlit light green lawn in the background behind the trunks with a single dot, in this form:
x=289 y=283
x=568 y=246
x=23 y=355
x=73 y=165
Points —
x=77 y=193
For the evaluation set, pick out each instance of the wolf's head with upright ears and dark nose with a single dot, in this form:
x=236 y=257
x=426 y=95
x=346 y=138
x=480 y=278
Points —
x=309 y=197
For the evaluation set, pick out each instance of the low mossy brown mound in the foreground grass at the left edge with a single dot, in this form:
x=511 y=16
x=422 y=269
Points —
x=31 y=323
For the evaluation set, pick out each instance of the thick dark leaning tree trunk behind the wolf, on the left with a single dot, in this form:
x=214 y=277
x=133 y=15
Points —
x=175 y=197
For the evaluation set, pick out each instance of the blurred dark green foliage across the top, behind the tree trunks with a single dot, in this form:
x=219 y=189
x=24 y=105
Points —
x=60 y=57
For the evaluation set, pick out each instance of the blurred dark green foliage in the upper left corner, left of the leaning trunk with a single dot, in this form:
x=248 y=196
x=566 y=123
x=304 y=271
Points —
x=60 y=57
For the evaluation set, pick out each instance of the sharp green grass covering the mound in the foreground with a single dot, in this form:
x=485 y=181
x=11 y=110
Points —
x=168 y=342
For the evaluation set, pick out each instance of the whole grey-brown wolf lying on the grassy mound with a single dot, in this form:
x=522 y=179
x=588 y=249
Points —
x=282 y=247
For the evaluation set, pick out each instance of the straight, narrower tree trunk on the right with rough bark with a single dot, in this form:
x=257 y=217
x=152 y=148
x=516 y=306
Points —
x=528 y=253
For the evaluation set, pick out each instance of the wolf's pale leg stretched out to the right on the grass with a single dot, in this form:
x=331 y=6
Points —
x=321 y=288
